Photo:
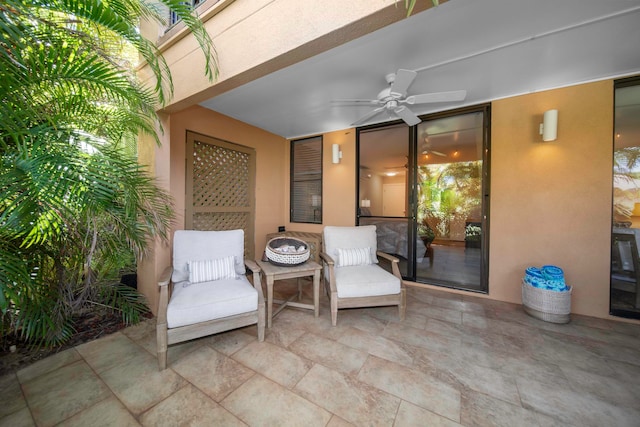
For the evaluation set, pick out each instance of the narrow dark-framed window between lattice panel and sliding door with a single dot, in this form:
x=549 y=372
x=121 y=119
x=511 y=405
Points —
x=306 y=180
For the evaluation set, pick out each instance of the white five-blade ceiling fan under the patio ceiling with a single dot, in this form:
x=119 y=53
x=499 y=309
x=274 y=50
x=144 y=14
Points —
x=394 y=99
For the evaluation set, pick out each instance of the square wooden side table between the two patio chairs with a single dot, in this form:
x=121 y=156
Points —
x=273 y=272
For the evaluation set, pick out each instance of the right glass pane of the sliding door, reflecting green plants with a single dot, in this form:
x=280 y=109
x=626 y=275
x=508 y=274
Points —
x=450 y=213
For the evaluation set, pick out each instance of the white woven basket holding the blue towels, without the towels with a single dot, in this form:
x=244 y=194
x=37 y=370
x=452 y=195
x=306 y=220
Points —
x=547 y=305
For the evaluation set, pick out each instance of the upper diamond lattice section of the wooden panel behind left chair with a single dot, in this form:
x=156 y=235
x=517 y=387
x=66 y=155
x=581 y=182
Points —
x=220 y=176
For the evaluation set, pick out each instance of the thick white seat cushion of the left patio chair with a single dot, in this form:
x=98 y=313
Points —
x=204 y=301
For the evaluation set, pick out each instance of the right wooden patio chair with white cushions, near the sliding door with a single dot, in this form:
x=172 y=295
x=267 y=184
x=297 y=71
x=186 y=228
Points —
x=351 y=270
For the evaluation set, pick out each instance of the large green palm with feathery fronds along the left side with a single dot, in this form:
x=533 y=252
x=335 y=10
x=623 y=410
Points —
x=75 y=207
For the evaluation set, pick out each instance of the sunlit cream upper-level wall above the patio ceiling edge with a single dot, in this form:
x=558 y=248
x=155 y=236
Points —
x=256 y=37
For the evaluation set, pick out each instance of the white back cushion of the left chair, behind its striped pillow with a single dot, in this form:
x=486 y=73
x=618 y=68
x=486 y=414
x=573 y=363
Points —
x=196 y=245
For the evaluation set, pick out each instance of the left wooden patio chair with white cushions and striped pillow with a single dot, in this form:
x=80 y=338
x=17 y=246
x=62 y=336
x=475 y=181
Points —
x=206 y=290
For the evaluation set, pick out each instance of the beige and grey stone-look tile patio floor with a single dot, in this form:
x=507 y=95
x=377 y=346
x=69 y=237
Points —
x=455 y=360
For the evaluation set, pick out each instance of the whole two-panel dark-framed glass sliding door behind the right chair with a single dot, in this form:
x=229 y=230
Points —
x=425 y=188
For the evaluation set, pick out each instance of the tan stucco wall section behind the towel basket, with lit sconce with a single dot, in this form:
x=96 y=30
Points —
x=551 y=202
